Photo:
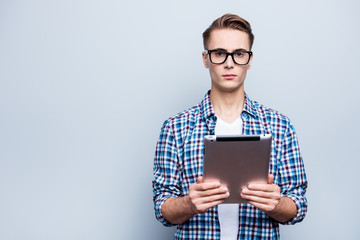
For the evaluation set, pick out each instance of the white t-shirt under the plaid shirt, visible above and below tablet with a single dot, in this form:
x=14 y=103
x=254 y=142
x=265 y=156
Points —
x=228 y=212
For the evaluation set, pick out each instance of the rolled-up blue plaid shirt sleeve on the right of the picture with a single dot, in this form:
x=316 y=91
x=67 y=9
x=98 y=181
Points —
x=293 y=182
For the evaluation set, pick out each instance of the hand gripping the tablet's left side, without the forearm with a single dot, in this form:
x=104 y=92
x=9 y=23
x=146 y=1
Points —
x=205 y=195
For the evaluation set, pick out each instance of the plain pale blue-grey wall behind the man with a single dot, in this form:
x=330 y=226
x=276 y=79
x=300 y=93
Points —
x=86 y=85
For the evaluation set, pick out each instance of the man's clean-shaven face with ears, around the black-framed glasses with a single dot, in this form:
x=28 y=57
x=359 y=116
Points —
x=228 y=76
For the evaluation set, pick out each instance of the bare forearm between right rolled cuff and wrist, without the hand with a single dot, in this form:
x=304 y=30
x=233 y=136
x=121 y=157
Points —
x=284 y=211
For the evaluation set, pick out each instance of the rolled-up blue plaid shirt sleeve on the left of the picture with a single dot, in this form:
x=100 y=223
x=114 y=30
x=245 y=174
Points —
x=166 y=171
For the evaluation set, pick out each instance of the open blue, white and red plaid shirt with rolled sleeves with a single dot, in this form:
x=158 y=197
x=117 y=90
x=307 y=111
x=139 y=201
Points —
x=179 y=162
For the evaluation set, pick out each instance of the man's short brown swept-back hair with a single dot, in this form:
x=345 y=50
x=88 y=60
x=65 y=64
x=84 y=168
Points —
x=229 y=21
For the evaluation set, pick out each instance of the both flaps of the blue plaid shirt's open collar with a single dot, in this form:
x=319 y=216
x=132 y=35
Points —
x=207 y=109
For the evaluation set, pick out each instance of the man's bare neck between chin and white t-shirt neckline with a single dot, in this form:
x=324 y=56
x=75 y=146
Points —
x=227 y=105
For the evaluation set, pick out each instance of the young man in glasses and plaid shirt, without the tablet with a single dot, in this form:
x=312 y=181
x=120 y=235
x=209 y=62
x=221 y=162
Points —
x=181 y=197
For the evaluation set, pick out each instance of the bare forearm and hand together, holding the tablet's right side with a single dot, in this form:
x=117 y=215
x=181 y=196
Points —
x=267 y=198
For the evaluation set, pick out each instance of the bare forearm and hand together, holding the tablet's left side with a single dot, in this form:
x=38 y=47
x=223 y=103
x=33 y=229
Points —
x=202 y=196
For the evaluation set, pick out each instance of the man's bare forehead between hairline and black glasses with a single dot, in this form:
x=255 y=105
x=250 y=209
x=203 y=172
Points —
x=228 y=39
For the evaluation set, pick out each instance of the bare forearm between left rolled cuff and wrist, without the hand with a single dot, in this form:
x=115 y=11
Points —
x=177 y=210
